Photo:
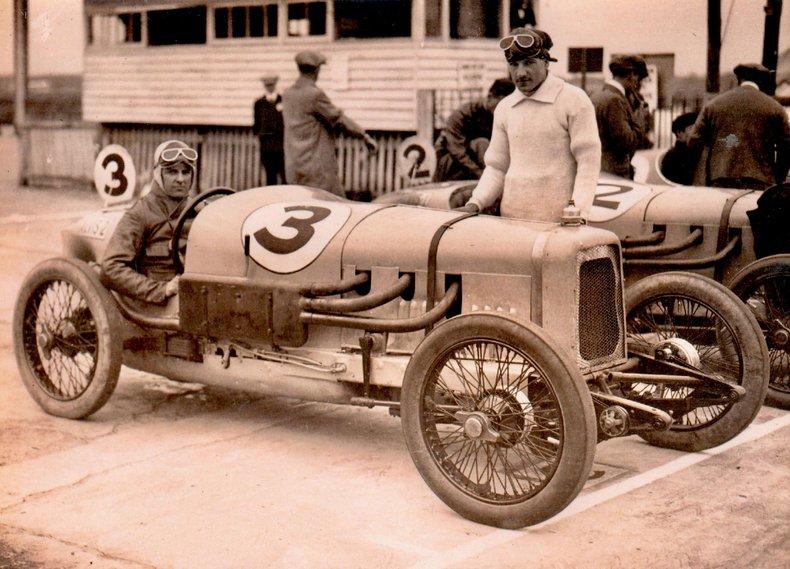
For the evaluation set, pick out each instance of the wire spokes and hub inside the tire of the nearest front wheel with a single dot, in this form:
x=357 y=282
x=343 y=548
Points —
x=492 y=421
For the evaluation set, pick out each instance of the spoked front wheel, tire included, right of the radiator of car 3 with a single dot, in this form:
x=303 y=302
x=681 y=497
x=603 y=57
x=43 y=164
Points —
x=703 y=325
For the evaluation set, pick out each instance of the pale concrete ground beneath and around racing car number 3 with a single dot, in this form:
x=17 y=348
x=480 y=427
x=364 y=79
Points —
x=167 y=475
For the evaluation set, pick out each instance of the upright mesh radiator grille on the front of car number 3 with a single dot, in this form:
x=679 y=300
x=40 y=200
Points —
x=600 y=306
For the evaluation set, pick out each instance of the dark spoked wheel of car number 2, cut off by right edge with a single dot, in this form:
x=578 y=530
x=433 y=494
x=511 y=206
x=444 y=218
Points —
x=764 y=286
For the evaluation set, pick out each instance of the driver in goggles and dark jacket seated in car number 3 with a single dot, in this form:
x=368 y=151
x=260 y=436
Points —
x=137 y=262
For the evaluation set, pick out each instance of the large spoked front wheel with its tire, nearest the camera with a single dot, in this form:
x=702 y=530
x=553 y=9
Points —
x=498 y=420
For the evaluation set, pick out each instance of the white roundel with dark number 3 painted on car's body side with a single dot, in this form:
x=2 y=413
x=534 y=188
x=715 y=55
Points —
x=286 y=237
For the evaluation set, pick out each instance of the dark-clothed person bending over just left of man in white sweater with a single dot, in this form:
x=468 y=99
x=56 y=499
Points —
x=464 y=140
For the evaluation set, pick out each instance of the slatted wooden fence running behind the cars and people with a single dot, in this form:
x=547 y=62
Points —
x=64 y=153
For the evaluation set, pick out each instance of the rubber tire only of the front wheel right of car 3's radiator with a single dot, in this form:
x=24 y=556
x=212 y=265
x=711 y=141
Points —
x=754 y=354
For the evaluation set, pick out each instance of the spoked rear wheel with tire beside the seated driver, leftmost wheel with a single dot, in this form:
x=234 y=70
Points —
x=66 y=343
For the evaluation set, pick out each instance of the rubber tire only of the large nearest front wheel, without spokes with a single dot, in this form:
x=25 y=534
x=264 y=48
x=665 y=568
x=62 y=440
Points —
x=572 y=395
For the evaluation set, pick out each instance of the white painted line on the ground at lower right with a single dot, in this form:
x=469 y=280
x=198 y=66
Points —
x=586 y=501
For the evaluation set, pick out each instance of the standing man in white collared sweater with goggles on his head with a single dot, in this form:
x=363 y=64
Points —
x=544 y=147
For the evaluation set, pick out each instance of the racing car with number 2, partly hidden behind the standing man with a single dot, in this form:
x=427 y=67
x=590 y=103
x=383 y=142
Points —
x=669 y=228
